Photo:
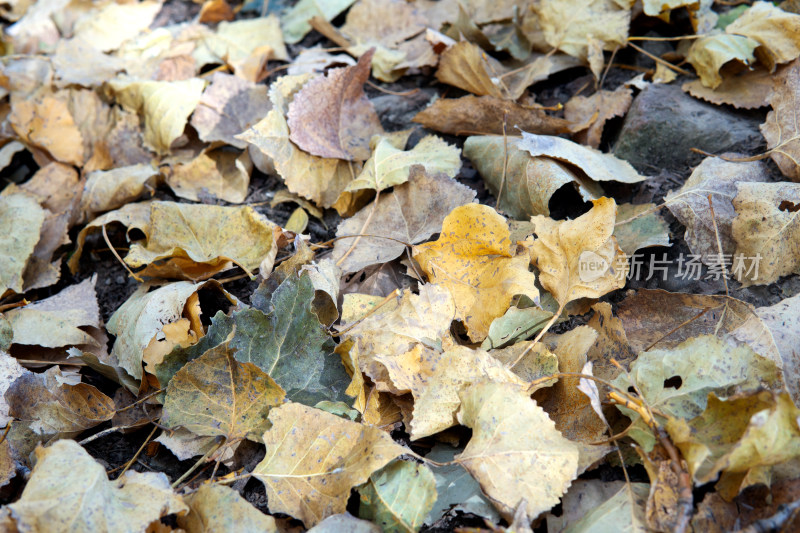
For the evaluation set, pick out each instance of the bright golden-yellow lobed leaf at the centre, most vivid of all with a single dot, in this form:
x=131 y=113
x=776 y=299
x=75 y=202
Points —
x=473 y=260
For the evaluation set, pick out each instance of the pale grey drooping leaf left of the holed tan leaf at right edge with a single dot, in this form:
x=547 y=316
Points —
x=689 y=204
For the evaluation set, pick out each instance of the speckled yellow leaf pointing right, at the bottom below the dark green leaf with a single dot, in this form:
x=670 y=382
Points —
x=315 y=458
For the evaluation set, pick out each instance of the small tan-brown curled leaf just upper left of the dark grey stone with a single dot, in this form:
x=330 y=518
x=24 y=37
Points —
x=594 y=110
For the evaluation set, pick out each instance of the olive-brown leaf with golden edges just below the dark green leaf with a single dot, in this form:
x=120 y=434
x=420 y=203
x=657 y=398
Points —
x=217 y=395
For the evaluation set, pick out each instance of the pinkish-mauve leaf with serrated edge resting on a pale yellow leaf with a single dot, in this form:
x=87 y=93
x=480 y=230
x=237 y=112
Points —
x=332 y=117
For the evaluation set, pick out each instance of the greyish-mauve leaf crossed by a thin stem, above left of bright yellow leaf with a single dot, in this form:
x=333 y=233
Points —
x=421 y=204
